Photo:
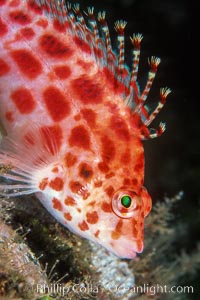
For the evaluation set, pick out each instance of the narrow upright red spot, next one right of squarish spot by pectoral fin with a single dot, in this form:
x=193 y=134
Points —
x=108 y=149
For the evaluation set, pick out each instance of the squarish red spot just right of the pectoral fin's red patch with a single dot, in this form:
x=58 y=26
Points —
x=80 y=137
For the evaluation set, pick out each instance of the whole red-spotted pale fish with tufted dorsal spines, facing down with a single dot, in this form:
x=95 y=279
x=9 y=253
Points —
x=75 y=119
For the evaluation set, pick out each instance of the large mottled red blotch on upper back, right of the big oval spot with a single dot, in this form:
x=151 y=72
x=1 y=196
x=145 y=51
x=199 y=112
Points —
x=87 y=90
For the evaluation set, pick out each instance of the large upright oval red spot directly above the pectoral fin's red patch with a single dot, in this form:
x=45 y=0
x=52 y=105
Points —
x=57 y=104
